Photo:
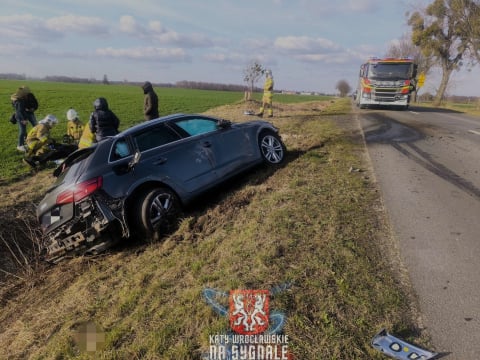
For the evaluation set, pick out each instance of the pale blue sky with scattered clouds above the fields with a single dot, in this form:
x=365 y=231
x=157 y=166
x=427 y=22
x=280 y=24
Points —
x=309 y=44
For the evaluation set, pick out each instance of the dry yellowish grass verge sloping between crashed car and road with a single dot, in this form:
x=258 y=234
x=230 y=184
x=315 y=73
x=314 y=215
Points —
x=313 y=224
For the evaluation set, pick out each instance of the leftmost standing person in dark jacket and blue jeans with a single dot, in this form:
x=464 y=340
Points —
x=25 y=105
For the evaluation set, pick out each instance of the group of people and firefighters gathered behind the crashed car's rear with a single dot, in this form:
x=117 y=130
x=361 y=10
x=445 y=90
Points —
x=38 y=144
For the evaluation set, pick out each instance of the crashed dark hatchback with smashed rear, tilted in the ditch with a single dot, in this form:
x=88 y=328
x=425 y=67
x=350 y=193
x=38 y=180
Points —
x=136 y=182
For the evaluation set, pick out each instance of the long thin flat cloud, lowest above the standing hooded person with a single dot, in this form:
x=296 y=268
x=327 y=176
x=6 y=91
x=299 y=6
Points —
x=145 y=53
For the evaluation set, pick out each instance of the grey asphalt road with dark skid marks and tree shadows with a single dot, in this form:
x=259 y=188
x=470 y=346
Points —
x=427 y=163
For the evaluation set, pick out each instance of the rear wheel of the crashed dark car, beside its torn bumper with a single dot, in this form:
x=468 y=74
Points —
x=155 y=213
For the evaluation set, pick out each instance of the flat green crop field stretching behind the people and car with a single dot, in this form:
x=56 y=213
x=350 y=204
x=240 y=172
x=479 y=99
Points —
x=126 y=101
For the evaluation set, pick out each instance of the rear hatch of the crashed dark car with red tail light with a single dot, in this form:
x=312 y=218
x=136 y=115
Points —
x=57 y=206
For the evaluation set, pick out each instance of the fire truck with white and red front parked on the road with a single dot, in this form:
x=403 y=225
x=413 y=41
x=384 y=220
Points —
x=386 y=82
